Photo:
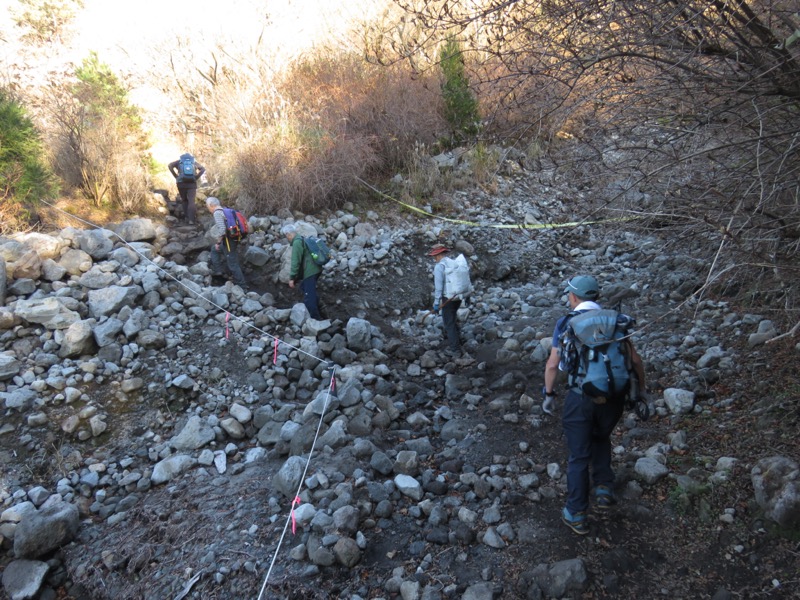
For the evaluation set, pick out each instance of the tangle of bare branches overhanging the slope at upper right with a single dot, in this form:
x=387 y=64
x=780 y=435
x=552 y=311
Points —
x=680 y=112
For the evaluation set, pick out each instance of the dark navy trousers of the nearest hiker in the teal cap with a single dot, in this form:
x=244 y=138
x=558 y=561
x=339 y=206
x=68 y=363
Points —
x=587 y=428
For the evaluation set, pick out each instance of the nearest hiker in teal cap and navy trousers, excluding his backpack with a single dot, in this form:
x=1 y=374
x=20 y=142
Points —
x=587 y=422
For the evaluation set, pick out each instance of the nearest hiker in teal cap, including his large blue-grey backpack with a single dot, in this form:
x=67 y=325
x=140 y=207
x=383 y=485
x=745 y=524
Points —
x=593 y=347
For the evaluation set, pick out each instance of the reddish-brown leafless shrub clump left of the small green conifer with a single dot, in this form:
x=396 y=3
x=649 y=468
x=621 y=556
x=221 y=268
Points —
x=339 y=119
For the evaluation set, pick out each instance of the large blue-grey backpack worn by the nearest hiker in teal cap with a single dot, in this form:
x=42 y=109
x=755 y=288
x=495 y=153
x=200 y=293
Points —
x=595 y=353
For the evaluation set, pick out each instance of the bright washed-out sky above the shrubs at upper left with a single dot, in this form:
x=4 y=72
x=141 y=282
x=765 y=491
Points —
x=135 y=38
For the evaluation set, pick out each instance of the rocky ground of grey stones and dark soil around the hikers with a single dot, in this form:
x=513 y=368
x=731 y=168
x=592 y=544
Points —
x=153 y=439
